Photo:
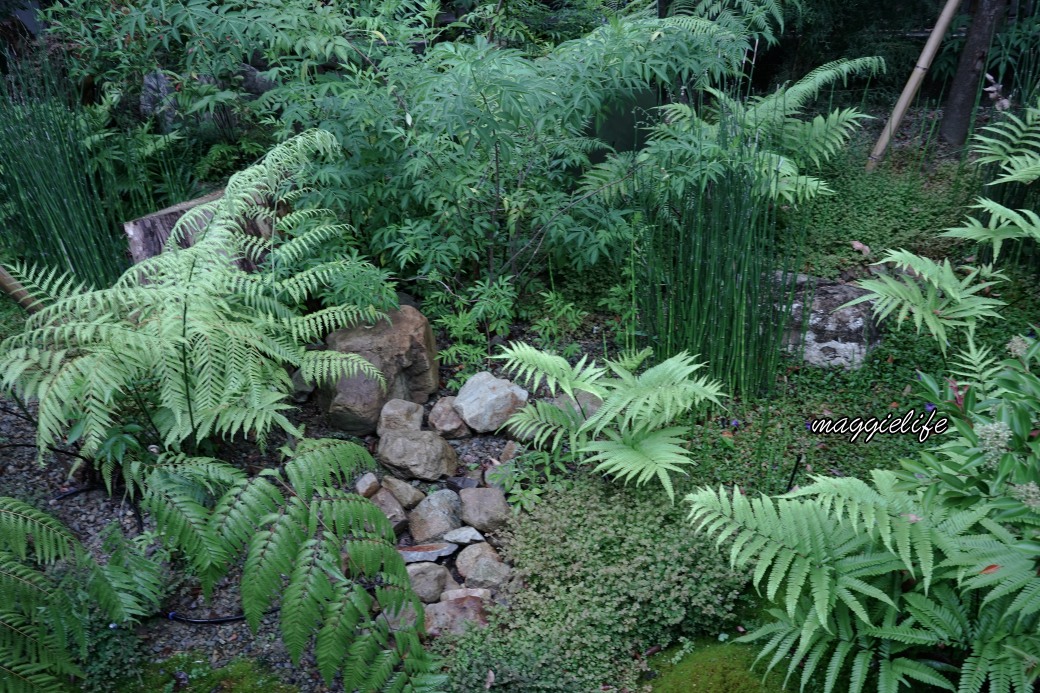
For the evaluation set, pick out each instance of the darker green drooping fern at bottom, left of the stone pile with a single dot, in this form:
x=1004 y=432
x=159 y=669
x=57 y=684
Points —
x=325 y=556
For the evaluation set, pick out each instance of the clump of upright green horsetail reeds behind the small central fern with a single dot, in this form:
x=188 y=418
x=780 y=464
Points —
x=713 y=279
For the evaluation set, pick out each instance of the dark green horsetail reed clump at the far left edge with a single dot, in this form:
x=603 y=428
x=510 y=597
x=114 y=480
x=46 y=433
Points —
x=50 y=207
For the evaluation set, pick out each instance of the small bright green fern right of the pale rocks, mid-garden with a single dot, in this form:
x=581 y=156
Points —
x=632 y=435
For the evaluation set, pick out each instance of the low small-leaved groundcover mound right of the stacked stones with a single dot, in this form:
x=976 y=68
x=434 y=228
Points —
x=607 y=574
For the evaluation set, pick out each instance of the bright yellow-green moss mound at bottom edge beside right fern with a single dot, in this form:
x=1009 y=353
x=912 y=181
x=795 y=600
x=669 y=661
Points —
x=713 y=668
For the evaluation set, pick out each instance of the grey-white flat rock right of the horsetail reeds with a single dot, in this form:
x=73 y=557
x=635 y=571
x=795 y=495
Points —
x=835 y=338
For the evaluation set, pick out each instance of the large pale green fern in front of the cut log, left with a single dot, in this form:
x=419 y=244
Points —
x=187 y=343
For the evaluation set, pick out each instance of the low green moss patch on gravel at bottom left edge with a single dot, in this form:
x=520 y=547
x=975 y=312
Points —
x=242 y=676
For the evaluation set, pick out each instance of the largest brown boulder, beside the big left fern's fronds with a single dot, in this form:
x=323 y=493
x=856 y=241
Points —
x=403 y=349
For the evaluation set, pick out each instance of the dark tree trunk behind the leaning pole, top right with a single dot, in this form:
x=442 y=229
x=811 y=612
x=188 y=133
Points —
x=957 y=117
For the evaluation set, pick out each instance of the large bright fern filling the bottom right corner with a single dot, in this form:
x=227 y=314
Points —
x=885 y=585
